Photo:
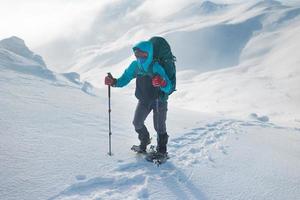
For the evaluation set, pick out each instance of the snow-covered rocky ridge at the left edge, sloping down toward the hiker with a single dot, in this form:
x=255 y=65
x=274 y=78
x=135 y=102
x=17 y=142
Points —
x=16 y=56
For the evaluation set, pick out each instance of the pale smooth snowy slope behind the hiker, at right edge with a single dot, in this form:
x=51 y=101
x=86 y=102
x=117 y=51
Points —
x=266 y=80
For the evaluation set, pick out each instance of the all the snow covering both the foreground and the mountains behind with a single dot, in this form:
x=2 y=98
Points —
x=234 y=130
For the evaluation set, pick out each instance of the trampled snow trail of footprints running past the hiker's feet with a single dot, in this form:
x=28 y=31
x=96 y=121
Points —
x=131 y=178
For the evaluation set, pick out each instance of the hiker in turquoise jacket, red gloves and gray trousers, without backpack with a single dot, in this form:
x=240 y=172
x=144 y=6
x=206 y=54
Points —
x=152 y=89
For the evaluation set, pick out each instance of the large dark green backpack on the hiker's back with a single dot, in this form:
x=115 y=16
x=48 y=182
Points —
x=163 y=55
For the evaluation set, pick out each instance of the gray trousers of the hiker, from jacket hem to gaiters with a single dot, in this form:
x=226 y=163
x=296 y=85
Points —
x=159 y=108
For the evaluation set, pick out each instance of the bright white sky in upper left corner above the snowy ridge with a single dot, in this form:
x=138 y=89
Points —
x=38 y=21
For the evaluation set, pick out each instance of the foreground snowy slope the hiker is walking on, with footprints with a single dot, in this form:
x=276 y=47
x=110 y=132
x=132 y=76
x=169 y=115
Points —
x=54 y=144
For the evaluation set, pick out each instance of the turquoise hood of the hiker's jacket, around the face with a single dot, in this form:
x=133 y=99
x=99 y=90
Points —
x=145 y=46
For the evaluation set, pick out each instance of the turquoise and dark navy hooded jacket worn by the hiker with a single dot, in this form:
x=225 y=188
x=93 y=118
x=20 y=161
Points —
x=141 y=70
